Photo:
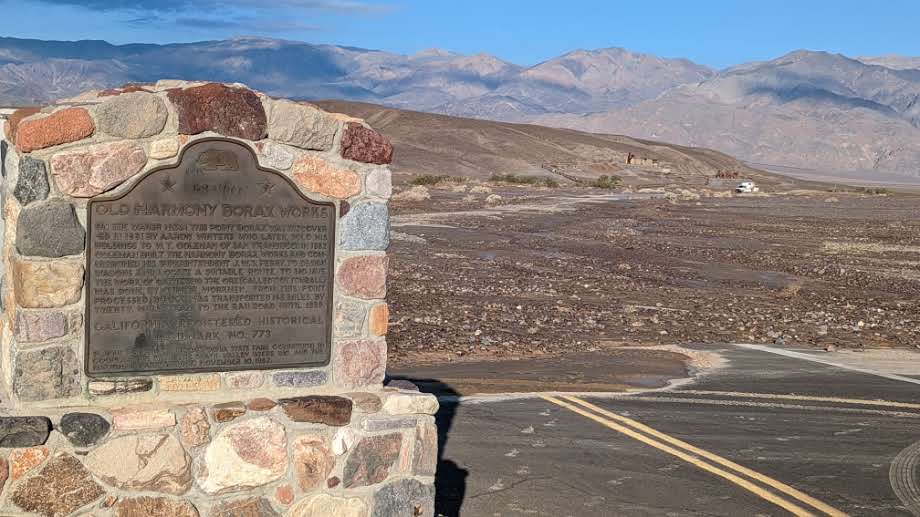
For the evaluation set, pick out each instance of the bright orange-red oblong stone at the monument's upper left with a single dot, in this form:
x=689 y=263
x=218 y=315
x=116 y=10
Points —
x=61 y=127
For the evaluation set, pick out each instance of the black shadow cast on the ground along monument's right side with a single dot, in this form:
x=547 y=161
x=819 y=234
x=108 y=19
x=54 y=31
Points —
x=450 y=479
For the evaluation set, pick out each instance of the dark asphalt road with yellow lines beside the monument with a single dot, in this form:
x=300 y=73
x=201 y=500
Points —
x=766 y=435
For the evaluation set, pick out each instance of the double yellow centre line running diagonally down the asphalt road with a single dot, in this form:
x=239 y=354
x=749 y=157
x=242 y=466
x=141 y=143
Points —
x=737 y=474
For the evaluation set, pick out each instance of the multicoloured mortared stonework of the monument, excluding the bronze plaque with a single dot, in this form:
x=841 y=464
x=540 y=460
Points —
x=301 y=442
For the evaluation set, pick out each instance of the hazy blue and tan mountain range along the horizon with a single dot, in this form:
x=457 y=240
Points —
x=813 y=110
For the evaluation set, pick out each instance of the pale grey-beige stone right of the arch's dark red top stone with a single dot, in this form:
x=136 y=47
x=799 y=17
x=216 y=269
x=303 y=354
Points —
x=301 y=125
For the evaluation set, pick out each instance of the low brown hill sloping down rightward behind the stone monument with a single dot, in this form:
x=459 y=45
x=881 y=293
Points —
x=442 y=145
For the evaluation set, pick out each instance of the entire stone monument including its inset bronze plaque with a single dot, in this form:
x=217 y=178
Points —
x=194 y=315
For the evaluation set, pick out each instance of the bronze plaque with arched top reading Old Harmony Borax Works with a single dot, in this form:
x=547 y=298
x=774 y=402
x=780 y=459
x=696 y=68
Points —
x=214 y=264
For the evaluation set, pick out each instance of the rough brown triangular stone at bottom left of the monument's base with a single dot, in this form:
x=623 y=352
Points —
x=61 y=487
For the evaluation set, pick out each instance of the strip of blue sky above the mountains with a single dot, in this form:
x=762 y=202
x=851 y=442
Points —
x=716 y=33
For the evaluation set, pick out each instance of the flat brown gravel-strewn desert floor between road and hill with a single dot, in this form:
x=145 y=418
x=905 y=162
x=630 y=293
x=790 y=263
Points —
x=543 y=272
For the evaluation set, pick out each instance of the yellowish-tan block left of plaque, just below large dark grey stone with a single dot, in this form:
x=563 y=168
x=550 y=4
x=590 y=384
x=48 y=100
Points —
x=47 y=284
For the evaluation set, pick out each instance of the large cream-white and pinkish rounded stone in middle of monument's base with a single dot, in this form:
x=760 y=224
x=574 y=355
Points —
x=245 y=455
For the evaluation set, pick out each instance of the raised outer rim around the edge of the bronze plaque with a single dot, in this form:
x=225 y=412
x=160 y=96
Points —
x=333 y=242
